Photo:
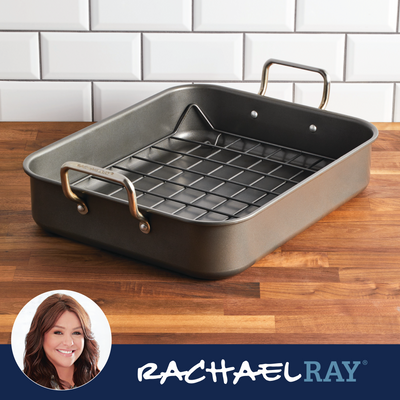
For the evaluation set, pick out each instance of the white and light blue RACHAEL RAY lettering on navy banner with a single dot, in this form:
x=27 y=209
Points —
x=312 y=371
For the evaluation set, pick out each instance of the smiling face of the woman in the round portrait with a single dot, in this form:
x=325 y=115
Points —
x=64 y=342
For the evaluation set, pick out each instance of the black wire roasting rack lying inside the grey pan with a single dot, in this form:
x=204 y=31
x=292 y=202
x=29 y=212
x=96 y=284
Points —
x=204 y=174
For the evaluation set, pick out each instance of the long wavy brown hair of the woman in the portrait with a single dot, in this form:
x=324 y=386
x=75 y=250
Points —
x=36 y=364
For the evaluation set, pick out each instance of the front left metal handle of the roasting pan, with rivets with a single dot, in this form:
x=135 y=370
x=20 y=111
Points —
x=105 y=174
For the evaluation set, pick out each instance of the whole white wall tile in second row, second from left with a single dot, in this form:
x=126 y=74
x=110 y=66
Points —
x=113 y=56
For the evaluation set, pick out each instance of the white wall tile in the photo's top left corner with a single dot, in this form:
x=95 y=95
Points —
x=44 y=14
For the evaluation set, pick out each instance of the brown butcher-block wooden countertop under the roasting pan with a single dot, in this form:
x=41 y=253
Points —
x=337 y=282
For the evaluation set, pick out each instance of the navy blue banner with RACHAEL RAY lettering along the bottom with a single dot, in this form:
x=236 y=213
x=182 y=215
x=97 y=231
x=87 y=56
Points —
x=229 y=371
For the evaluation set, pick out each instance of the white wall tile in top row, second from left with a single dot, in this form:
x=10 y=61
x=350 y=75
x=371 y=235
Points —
x=144 y=15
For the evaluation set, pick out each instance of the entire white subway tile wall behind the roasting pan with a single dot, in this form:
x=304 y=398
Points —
x=83 y=60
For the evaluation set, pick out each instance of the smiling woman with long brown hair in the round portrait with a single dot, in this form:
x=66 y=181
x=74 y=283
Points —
x=60 y=348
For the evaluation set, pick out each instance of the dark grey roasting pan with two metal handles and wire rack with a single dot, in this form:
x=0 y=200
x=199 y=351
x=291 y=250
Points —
x=201 y=179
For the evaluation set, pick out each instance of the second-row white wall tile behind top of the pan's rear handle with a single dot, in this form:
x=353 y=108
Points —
x=324 y=51
